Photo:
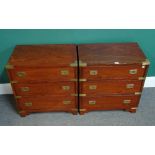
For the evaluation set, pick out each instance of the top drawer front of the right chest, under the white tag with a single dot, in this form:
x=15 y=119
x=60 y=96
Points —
x=112 y=72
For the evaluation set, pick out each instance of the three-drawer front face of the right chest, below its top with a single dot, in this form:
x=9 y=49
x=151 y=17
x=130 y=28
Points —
x=110 y=87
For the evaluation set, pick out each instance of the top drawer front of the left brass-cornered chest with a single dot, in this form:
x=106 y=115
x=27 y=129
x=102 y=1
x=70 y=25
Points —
x=42 y=74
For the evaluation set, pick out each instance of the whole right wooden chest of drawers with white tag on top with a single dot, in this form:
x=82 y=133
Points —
x=114 y=76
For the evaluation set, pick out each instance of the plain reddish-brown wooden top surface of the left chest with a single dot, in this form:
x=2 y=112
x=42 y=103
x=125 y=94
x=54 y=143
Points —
x=43 y=55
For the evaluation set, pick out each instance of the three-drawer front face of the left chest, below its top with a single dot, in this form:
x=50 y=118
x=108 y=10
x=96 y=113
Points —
x=41 y=89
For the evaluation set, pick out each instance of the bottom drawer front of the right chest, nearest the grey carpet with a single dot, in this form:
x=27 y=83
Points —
x=108 y=102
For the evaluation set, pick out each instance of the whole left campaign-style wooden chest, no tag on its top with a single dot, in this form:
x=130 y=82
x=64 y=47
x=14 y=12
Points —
x=43 y=78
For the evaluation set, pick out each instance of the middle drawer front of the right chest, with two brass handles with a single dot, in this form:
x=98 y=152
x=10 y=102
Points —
x=111 y=87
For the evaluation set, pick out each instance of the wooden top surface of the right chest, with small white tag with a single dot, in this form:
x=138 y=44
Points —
x=111 y=53
